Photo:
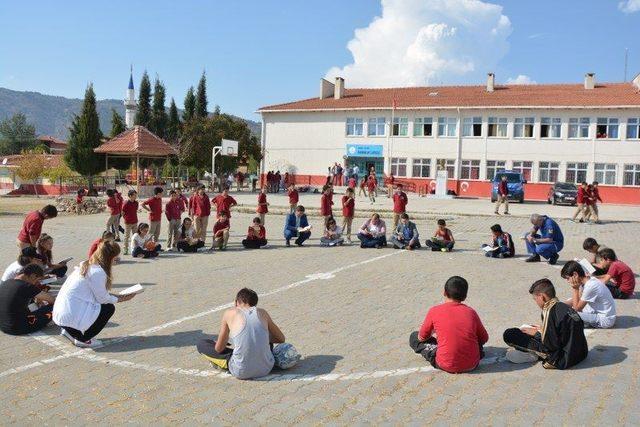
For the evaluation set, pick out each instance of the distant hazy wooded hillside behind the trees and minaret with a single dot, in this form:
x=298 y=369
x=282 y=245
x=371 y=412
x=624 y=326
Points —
x=52 y=115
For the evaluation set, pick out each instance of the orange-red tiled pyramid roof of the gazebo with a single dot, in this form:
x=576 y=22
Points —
x=137 y=140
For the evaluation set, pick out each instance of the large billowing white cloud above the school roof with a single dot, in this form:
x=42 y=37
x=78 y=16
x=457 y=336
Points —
x=419 y=42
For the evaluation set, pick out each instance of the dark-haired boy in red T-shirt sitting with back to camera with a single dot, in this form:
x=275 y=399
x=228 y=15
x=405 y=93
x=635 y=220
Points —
x=458 y=328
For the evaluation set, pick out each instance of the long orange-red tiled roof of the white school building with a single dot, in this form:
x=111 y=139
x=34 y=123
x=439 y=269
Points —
x=519 y=96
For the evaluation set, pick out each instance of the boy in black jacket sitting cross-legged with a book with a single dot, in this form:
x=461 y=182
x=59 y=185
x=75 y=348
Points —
x=559 y=342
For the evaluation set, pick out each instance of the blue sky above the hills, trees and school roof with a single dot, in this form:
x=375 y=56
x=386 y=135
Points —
x=262 y=52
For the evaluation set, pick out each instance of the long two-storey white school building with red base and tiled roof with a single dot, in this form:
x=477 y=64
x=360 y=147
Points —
x=548 y=132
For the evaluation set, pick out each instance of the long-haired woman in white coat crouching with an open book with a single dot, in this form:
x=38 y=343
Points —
x=84 y=305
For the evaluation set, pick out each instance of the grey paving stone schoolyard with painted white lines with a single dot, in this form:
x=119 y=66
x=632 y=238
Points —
x=348 y=311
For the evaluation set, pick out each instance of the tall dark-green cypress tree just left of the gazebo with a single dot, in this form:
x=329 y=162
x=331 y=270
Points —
x=84 y=136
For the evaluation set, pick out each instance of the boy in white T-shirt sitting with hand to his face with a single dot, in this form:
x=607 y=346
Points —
x=590 y=297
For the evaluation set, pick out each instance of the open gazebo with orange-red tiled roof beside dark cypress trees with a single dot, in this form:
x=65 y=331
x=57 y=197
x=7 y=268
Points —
x=135 y=143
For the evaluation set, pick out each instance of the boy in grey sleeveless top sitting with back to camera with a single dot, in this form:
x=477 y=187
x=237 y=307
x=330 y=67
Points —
x=252 y=333
